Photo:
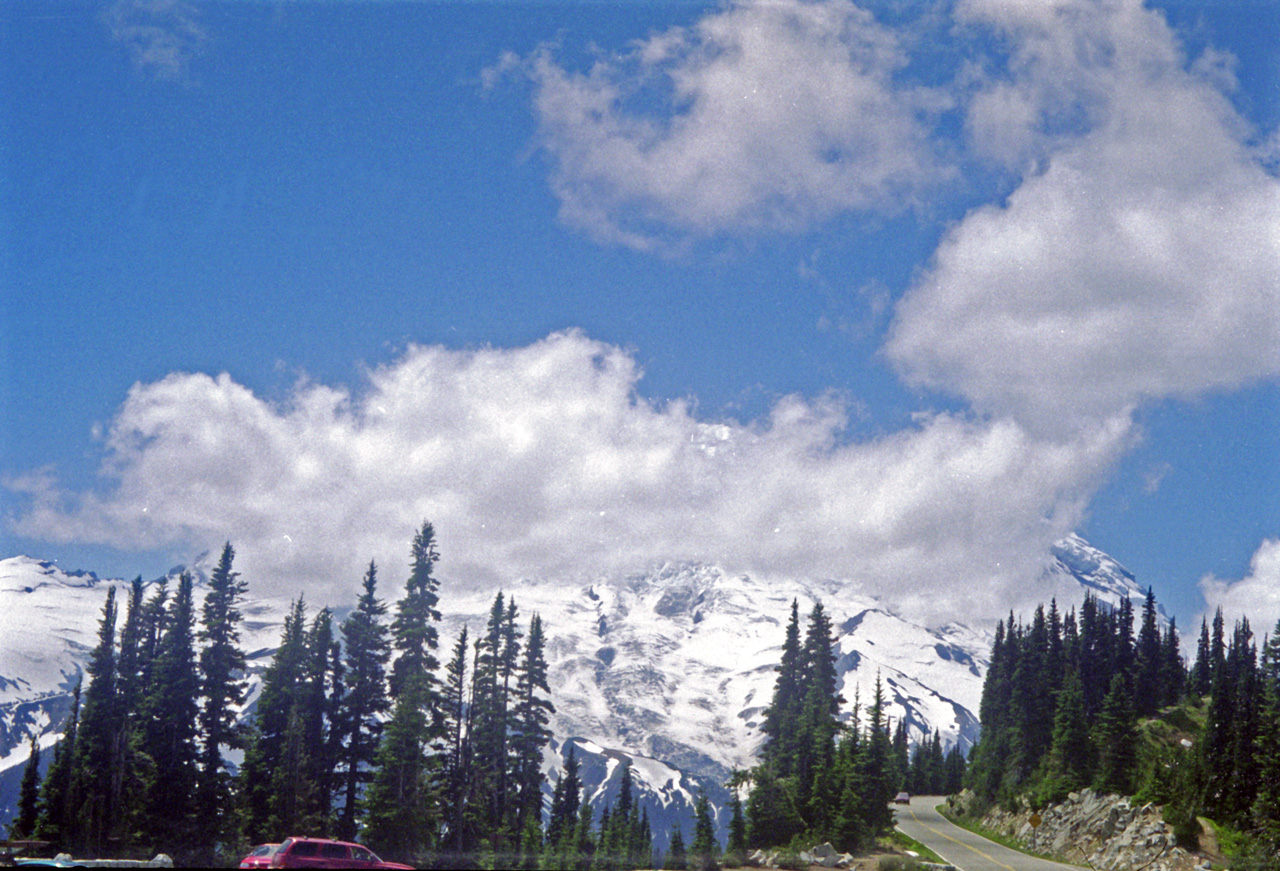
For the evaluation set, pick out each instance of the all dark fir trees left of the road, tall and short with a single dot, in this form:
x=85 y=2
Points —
x=362 y=732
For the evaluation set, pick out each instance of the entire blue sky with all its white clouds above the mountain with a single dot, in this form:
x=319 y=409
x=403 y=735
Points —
x=894 y=294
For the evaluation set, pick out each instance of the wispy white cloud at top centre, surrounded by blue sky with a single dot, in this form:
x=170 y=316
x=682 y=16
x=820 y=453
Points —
x=765 y=116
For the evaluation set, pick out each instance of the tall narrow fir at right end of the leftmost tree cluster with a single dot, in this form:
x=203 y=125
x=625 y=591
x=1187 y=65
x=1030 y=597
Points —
x=222 y=669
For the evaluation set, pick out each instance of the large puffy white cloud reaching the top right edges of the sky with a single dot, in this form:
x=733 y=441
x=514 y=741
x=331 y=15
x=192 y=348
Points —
x=1139 y=259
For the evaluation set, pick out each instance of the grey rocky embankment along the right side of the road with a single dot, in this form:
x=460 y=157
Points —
x=1107 y=832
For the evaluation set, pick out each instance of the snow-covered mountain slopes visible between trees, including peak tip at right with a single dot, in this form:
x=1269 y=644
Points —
x=669 y=669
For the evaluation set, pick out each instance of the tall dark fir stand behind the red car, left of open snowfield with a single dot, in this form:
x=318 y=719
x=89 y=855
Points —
x=358 y=732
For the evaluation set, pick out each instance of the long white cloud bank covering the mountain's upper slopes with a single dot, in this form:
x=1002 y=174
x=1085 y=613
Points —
x=543 y=462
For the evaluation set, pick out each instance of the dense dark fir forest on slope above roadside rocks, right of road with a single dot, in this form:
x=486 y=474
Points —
x=1078 y=700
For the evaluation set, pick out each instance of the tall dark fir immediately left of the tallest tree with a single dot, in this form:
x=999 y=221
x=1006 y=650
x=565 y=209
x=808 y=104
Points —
x=368 y=650
